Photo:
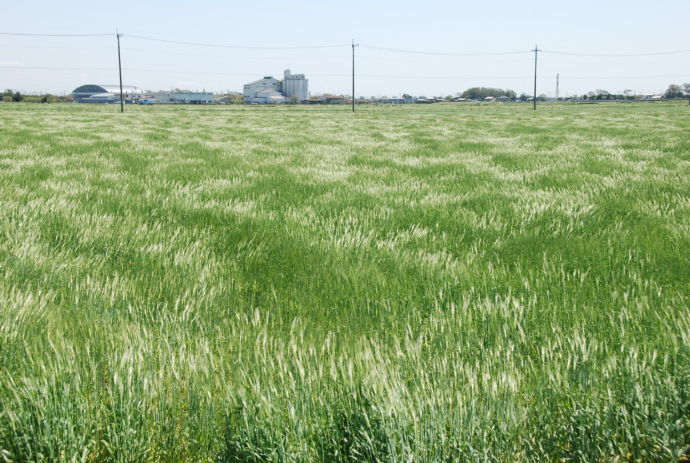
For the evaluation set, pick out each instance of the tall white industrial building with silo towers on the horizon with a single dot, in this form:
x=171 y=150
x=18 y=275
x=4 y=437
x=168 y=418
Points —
x=270 y=90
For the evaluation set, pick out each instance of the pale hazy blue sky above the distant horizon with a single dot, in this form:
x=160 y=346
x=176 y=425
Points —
x=586 y=26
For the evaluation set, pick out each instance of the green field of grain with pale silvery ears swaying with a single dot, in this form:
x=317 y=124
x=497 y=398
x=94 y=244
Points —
x=403 y=284
